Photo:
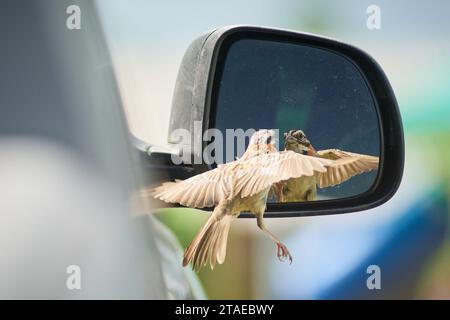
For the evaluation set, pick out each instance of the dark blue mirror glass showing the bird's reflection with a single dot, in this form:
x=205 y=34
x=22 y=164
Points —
x=313 y=95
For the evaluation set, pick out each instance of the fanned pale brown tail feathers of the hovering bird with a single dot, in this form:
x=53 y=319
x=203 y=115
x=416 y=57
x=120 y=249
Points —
x=210 y=244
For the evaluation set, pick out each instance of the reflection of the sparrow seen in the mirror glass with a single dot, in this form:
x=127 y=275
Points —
x=345 y=165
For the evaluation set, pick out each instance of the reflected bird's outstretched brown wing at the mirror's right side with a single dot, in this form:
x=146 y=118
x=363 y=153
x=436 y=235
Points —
x=345 y=165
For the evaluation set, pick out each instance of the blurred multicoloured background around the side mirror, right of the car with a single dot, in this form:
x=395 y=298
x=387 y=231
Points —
x=407 y=237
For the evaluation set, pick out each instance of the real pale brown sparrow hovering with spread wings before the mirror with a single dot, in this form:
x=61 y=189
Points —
x=234 y=187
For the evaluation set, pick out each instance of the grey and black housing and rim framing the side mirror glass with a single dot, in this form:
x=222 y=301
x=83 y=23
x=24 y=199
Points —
x=198 y=83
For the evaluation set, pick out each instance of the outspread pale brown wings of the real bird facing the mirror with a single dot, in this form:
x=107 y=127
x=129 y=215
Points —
x=242 y=177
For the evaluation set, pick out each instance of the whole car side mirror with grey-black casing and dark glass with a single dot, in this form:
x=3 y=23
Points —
x=324 y=98
